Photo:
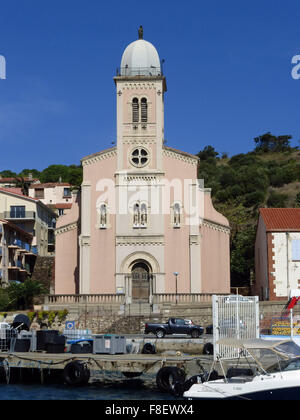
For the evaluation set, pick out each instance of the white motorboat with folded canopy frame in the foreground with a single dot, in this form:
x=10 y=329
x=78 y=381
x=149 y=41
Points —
x=278 y=381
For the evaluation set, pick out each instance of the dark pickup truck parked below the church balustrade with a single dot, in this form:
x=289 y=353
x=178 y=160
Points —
x=175 y=326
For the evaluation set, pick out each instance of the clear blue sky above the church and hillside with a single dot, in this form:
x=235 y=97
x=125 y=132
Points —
x=228 y=68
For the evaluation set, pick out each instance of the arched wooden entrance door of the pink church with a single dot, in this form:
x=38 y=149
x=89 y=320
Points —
x=141 y=277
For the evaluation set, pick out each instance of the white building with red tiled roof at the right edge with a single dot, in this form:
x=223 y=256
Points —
x=277 y=253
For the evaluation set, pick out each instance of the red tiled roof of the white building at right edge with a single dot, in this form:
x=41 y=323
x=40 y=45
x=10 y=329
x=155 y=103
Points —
x=281 y=218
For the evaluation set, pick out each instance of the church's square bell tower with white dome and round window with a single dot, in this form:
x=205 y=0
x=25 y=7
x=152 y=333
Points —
x=140 y=89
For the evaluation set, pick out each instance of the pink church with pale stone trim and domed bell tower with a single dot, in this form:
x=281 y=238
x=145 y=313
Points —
x=142 y=223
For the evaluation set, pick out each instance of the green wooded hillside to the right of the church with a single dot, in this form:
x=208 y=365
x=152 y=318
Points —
x=268 y=176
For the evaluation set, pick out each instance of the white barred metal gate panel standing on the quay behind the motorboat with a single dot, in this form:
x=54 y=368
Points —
x=234 y=316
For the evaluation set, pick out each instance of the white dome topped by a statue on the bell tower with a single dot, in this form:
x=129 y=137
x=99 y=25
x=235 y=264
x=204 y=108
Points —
x=140 y=58
